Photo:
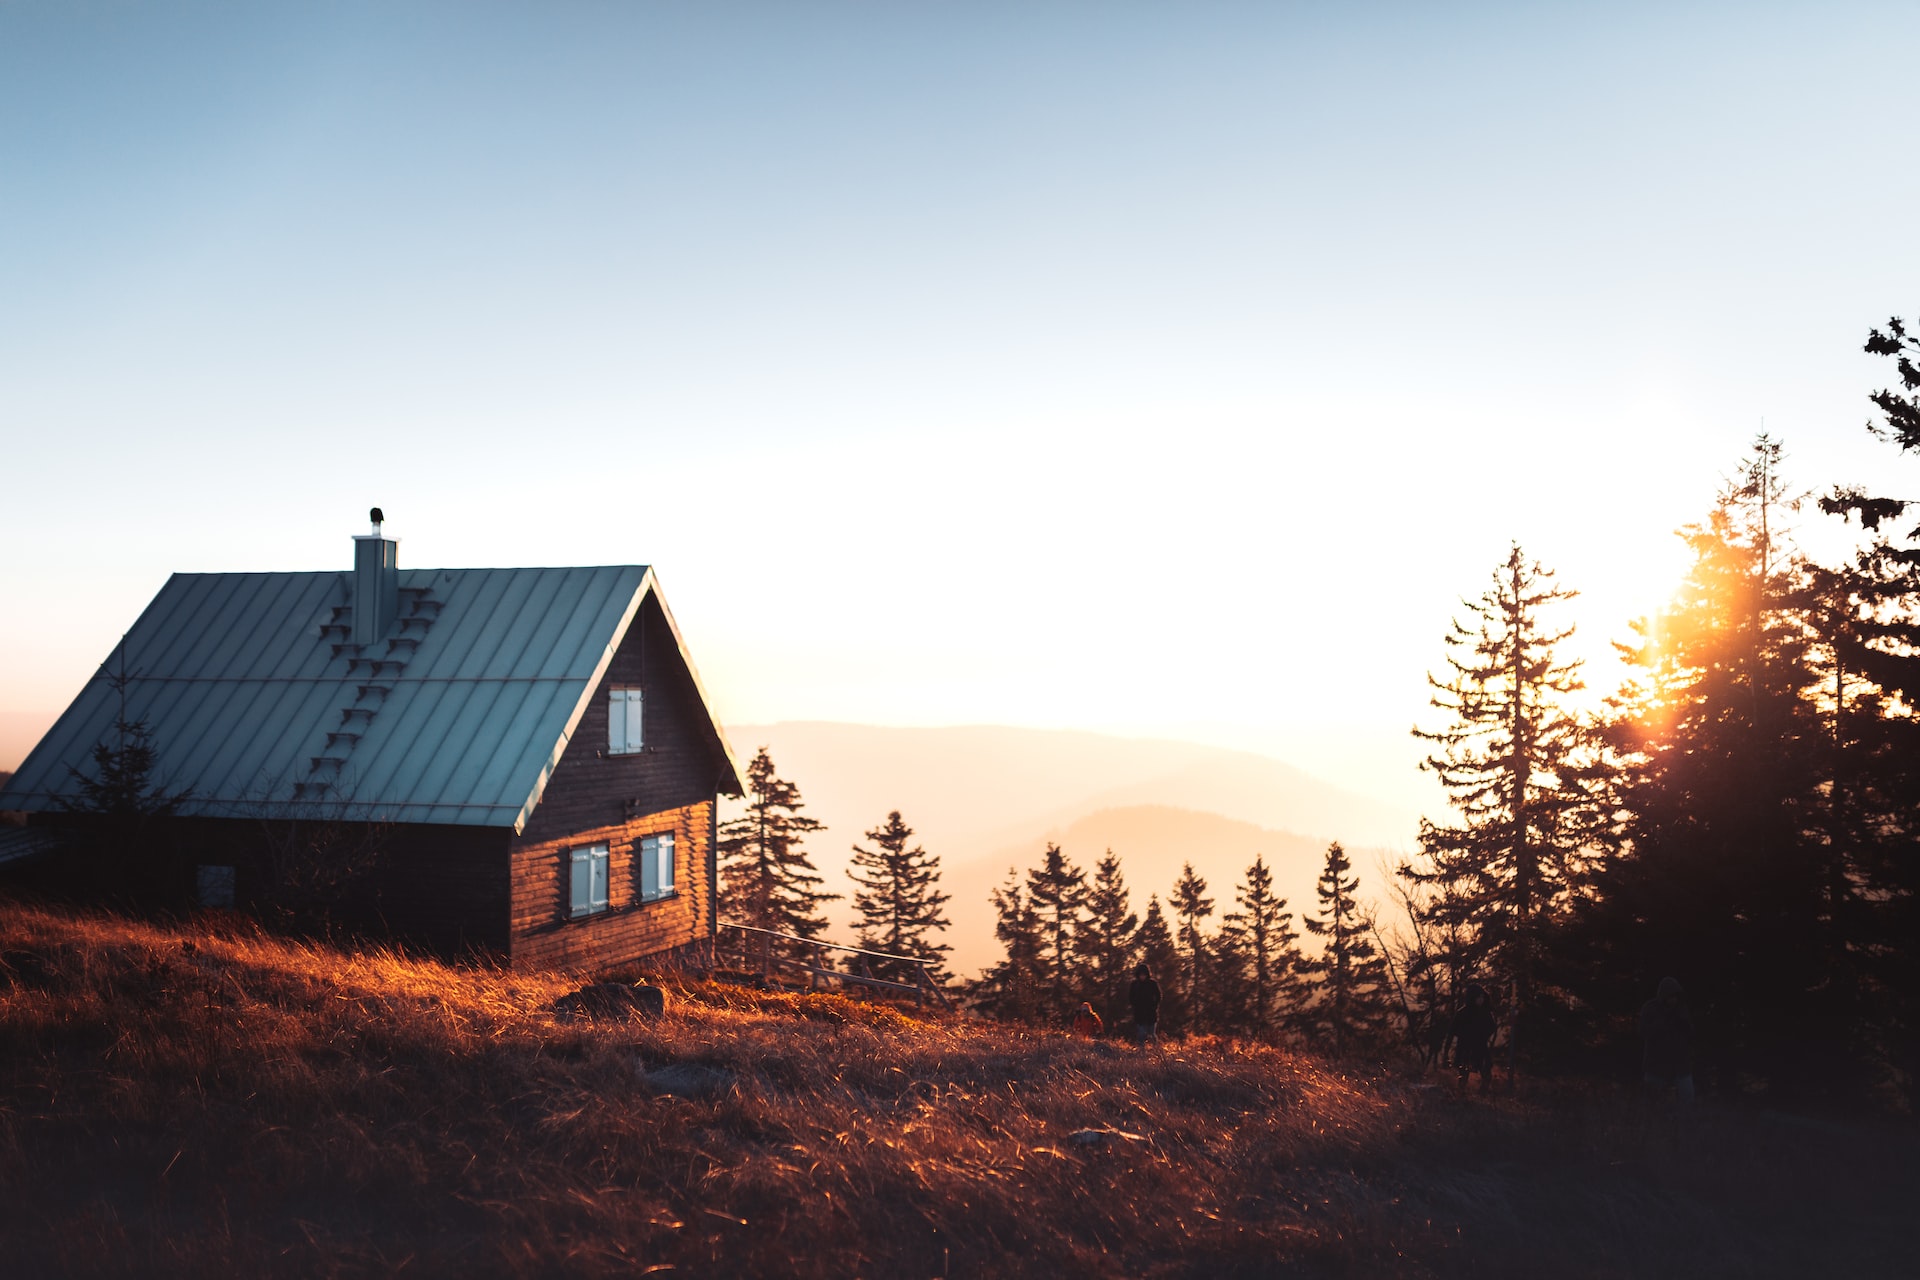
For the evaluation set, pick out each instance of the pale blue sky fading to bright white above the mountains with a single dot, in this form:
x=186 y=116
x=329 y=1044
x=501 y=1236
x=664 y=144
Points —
x=1145 y=369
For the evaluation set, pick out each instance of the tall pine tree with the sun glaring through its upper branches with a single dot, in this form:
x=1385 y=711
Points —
x=1725 y=866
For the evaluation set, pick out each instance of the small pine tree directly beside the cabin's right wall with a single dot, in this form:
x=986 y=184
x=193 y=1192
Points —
x=767 y=878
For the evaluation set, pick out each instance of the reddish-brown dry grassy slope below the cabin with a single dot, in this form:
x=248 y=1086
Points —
x=185 y=1102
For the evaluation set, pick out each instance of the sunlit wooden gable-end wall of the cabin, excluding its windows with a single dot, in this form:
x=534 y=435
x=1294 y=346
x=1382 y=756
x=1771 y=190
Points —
x=604 y=799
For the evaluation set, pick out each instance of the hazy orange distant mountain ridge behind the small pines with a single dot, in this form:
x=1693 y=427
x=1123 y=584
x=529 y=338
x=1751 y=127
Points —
x=986 y=797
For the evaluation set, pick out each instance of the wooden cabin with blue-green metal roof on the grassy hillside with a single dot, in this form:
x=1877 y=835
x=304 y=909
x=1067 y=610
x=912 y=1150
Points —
x=512 y=763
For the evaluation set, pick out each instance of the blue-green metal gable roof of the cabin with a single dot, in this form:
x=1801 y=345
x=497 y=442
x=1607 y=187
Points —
x=262 y=709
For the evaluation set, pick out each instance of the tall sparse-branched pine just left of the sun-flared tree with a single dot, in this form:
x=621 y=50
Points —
x=1520 y=770
